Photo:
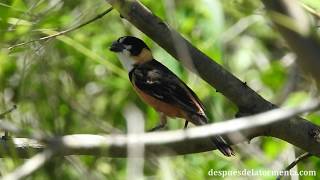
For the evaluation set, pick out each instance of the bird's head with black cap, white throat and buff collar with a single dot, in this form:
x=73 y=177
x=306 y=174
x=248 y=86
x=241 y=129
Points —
x=131 y=51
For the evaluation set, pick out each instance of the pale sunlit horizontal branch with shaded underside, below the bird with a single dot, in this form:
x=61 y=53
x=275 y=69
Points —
x=179 y=142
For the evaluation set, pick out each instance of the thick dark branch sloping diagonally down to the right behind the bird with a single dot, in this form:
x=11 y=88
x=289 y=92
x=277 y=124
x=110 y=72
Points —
x=296 y=131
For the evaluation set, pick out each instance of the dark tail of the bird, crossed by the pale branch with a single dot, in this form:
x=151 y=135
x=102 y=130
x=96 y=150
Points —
x=218 y=141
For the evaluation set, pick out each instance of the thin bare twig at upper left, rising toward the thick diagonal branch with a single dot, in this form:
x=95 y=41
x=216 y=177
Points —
x=63 y=32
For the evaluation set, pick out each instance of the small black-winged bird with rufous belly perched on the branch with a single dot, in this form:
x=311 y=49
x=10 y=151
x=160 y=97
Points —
x=161 y=88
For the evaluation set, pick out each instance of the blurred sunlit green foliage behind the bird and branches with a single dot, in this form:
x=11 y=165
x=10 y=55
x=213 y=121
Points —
x=73 y=84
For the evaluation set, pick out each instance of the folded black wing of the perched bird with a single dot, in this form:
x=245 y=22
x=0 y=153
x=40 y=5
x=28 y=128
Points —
x=158 y=81
